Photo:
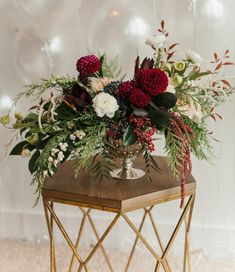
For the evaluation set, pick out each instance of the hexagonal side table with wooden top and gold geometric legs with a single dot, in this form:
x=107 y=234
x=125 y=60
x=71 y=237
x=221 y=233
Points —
x=119 y=197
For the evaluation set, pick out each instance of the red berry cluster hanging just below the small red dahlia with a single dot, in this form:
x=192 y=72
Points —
x=144 y=130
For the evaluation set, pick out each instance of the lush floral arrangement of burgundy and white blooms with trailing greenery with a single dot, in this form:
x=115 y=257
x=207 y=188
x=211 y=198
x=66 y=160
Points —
x=98 y=112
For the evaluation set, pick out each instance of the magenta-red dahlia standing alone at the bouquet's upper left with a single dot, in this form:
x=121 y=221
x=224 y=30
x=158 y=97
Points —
x=88 y=65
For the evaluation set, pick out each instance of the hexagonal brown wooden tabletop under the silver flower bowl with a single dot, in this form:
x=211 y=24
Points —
x=115 y=194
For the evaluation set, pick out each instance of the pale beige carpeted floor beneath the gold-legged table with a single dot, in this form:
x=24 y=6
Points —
x=20 y=256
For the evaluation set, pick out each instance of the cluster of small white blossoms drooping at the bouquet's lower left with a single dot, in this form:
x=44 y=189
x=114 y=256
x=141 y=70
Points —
x=57 y=155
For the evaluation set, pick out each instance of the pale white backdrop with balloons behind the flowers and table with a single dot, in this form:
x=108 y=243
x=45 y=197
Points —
x=39 y=38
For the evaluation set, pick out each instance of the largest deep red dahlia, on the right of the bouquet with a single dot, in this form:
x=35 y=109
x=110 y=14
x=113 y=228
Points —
x=153 y=81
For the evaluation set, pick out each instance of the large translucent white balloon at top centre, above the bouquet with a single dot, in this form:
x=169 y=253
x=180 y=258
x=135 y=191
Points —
x=118 y=28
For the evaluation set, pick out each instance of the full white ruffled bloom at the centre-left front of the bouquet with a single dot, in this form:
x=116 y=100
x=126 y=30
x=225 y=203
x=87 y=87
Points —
x=105 y=104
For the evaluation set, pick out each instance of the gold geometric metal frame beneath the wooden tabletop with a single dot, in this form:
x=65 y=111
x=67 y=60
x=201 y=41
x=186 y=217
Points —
x=161 y=260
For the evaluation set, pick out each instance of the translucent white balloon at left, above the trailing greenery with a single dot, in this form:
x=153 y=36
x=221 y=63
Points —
x=36 y=57
